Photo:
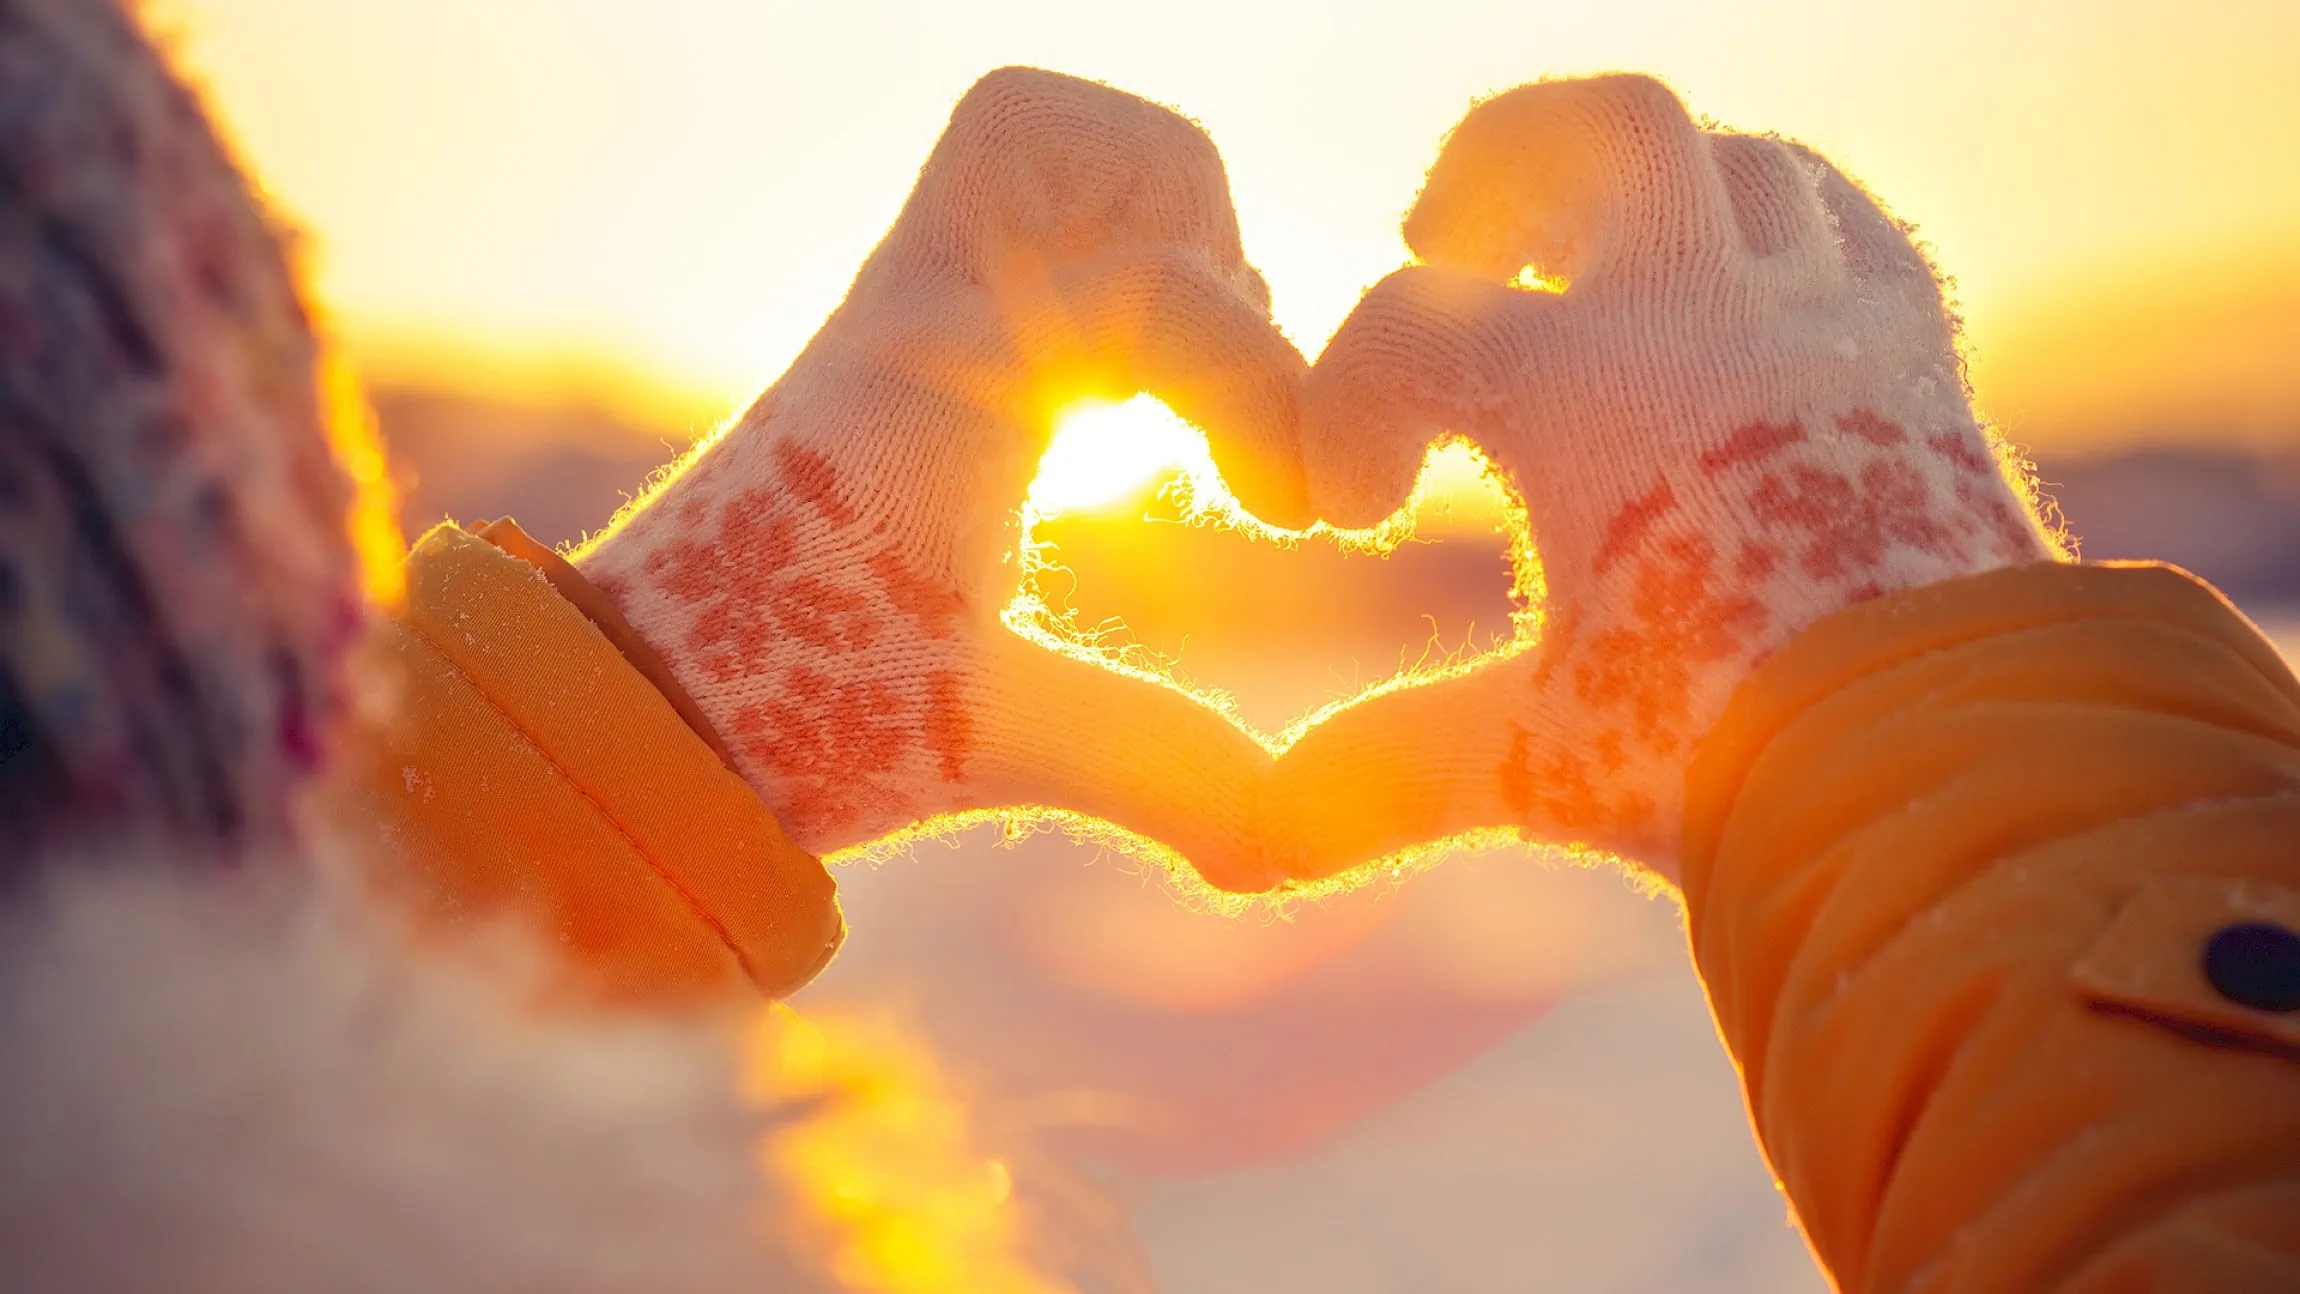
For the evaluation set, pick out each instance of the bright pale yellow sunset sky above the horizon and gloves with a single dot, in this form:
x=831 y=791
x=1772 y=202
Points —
x=654 y=201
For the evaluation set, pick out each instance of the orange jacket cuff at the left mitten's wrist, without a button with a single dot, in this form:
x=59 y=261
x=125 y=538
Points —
x=519 y=767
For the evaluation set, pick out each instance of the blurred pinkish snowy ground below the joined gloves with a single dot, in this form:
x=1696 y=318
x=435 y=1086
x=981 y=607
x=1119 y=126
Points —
x=1574 y=1125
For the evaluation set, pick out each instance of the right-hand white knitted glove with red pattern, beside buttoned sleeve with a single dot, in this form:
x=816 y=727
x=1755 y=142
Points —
x=1742 y=415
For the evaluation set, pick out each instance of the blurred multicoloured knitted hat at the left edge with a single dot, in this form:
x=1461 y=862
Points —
x=176 y=580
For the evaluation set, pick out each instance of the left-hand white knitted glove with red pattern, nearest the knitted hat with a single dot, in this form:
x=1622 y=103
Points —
x=827 y=578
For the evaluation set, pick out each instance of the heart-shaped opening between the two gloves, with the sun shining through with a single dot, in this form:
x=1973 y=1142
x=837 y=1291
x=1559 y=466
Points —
x=1135 y=553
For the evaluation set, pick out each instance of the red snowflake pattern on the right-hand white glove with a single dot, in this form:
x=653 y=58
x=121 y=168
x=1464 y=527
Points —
x=1846 y=514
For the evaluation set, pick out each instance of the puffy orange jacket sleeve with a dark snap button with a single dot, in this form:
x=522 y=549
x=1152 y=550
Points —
x=1963 y=875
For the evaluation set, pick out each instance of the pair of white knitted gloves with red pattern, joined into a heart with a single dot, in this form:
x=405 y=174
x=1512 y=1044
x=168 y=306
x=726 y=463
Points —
x=1742 y=415
